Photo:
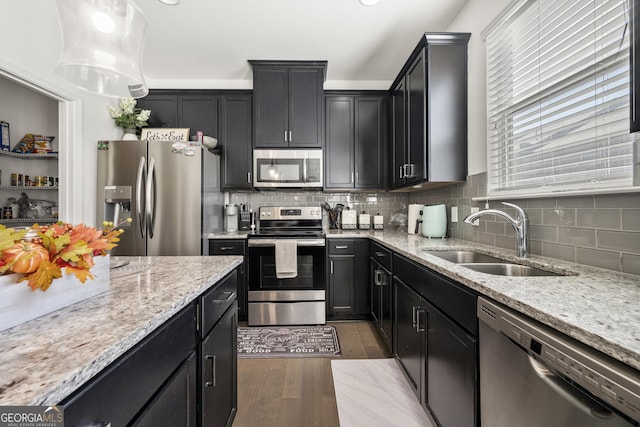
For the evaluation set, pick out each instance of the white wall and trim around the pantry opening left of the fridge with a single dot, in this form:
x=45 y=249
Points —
x=32 y=41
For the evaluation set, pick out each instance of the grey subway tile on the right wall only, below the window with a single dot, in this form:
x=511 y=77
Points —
x=602 y=231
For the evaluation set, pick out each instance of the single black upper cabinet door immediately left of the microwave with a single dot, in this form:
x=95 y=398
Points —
x=235 y=139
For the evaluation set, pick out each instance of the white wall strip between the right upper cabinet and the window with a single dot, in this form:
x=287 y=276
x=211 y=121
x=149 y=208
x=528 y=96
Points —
x=474 y=18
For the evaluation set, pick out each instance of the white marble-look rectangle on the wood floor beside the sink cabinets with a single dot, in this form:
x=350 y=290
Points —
x=375 y=393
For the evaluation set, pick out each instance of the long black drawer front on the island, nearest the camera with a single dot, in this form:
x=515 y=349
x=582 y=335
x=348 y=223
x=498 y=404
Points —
x=118 y=393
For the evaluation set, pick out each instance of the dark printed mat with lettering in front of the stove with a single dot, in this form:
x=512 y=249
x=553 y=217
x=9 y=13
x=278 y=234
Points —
x=288 y=341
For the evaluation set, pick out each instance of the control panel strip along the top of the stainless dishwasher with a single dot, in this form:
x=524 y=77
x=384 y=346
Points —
x=613 y=382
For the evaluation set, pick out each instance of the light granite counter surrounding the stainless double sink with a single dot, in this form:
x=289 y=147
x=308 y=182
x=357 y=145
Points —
x=598 y=307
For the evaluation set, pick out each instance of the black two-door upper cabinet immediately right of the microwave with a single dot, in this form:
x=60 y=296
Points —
x=355 y=141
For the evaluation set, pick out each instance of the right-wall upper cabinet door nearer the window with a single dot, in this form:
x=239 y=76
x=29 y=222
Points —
x=416 y=88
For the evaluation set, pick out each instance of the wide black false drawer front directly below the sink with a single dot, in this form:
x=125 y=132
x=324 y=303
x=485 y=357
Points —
x=451 y=298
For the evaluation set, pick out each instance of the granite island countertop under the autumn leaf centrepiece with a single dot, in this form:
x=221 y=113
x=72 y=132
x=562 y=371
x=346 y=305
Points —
x=46 y=359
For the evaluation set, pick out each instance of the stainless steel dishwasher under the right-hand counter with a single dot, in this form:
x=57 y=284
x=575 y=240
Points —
x=532 y=376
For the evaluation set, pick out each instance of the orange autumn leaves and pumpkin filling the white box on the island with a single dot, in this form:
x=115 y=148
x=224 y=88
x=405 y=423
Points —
x=42 y=251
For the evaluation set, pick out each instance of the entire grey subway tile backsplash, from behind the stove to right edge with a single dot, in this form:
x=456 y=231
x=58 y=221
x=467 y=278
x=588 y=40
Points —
x=602 y=231
